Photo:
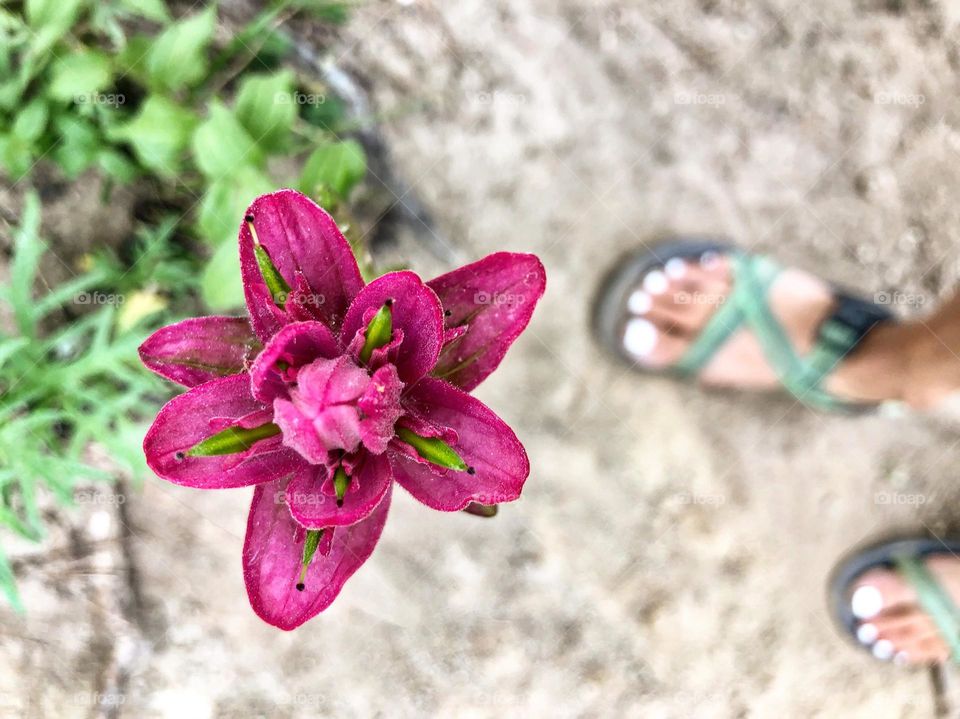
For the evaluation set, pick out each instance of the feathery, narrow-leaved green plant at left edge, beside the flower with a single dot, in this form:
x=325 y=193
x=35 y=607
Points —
x=65 y=388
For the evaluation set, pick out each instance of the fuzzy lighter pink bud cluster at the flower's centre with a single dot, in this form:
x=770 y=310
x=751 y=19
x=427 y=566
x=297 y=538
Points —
x=337 y=405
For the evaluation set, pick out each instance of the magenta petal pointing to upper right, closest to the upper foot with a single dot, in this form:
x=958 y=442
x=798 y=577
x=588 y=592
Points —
x=494 y=298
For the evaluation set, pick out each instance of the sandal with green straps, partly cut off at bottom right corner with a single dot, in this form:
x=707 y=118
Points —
x=906 y=557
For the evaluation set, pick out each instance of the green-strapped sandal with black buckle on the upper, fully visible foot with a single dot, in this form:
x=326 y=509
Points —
x=747 y=305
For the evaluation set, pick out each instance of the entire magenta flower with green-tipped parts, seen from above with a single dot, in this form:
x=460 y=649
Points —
x=331 y=391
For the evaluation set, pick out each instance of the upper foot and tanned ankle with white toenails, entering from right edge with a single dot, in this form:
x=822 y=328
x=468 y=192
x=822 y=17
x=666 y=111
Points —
x=654 y=313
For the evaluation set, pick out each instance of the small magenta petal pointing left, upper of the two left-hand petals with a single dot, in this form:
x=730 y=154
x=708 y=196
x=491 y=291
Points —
x=200 y=349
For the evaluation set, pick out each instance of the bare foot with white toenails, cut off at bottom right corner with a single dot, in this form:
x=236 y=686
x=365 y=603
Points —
x=893 y=623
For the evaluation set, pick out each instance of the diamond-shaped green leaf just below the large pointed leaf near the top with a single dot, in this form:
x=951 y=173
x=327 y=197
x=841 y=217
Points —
x=158 y=134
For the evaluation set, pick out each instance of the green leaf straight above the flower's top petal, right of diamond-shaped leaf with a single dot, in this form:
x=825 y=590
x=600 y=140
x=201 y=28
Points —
x=266 y=109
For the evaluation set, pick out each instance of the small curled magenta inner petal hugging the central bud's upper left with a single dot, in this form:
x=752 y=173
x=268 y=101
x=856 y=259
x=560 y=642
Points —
x=296 y=344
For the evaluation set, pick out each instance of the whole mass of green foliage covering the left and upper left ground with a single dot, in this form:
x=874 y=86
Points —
x=207 y=123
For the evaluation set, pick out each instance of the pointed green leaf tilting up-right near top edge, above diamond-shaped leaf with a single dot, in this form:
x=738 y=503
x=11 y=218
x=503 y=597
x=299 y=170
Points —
x=177 y=57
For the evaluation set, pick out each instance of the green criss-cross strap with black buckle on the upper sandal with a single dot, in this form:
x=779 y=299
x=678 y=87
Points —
x=748 y=305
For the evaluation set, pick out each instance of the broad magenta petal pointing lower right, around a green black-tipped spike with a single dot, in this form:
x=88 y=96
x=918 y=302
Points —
x=484 y=442
